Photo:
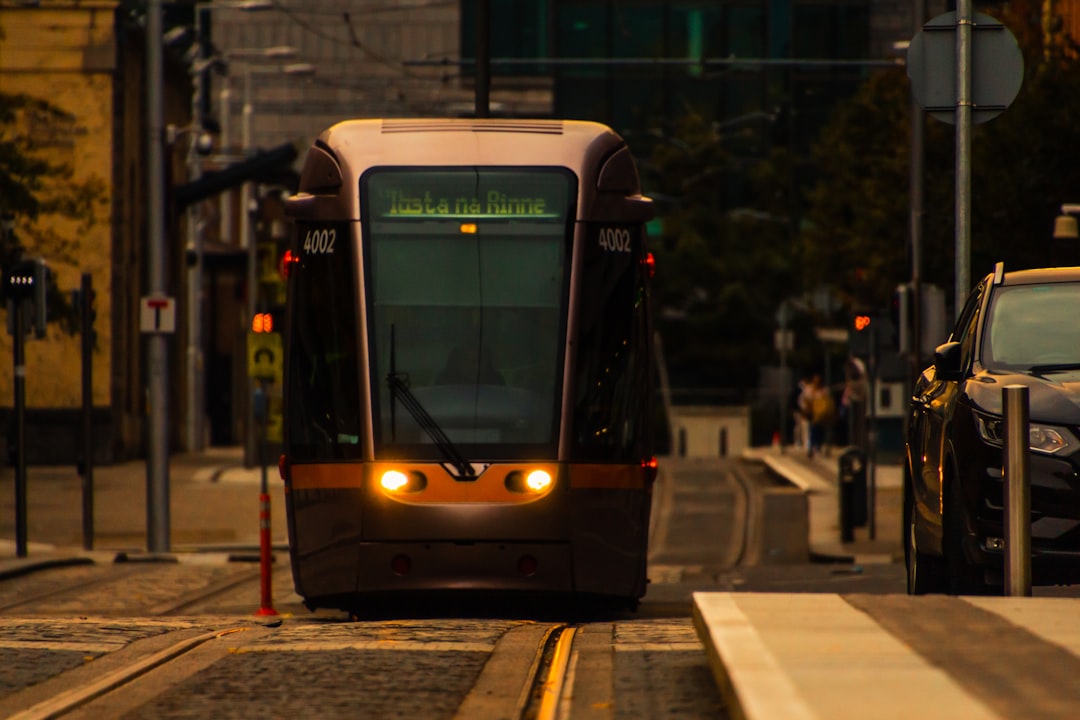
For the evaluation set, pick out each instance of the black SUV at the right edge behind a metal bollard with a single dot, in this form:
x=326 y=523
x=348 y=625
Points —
x=1020 y=328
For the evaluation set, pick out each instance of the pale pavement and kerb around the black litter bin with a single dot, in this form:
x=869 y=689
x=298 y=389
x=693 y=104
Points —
x=819 y=479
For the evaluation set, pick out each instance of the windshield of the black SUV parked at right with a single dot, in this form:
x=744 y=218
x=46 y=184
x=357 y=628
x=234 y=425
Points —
x=1033 y=328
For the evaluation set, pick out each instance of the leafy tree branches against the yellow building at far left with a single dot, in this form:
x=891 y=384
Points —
x=34 y=186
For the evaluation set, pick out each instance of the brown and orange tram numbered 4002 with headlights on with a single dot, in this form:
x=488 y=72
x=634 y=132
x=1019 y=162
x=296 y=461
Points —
x=469 y=384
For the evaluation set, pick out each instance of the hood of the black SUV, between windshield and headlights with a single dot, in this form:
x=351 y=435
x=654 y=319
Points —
x=1055 y=399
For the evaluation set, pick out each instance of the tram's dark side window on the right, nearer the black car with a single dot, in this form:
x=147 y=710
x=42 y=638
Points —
x=612 y=383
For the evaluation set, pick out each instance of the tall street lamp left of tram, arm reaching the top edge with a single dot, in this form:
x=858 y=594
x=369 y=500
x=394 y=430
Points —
x=196 y=360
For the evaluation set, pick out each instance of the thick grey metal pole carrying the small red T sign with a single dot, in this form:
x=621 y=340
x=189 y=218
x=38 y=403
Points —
x=157 y=496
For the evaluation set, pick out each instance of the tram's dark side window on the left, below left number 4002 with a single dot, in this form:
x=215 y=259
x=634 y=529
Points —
x=323 y=414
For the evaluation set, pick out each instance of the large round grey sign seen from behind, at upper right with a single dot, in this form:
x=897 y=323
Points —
x=997 y=67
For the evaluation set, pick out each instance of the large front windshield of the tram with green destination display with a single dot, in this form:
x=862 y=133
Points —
x=467 y=290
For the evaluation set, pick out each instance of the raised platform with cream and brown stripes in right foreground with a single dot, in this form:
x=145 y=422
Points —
x=827 y=656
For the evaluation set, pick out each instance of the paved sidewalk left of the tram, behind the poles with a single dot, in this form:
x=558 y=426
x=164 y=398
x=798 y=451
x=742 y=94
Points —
x=214 y=507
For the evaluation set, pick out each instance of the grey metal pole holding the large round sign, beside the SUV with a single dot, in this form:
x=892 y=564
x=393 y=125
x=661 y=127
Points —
x=964 y=105
